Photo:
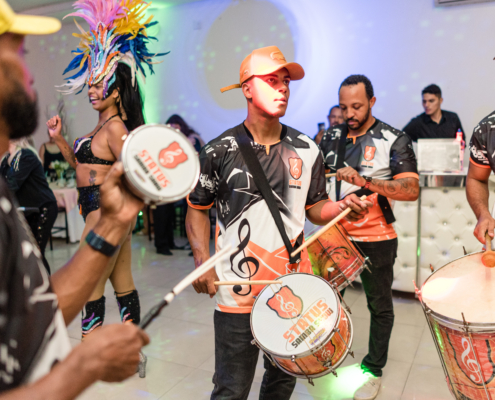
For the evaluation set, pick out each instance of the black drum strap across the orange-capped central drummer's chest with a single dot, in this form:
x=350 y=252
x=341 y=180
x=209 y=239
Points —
x=264 y=187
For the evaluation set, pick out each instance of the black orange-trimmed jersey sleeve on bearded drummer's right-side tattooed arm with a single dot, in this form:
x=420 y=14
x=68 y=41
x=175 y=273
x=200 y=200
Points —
x=402 y=158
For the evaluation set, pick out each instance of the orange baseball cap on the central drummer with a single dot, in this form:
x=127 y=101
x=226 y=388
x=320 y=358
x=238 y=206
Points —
x=264 y=61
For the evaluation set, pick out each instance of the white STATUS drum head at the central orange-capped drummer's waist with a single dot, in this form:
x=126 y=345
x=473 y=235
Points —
x=294 y=317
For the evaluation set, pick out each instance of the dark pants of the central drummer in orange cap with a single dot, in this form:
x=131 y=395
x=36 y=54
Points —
x=235 y=363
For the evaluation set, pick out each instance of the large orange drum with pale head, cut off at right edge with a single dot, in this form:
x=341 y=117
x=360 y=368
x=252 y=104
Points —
x=459 y=304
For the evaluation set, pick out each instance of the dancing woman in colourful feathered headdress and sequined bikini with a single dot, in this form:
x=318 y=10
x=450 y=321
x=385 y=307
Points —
x=110 y=55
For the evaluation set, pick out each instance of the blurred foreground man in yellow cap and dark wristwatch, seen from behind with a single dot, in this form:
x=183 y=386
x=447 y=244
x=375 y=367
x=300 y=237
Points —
x=36 y=357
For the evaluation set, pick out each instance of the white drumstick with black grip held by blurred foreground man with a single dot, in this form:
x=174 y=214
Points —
x=209 y=264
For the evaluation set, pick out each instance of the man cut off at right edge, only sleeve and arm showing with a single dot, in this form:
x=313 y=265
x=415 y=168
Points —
x=482 y=163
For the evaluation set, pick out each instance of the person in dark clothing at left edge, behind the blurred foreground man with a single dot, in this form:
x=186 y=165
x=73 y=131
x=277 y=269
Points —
x=24 y=174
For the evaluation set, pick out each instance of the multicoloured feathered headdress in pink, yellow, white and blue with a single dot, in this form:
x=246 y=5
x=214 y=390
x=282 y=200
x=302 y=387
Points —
x=116 y=34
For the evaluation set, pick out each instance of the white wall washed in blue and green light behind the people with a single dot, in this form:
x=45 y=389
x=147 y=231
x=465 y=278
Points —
x=401 y=45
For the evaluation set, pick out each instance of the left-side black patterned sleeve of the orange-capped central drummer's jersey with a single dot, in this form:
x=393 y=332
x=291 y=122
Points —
x=205 y=193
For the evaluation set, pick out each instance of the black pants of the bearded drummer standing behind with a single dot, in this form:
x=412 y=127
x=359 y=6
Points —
x=378 y=288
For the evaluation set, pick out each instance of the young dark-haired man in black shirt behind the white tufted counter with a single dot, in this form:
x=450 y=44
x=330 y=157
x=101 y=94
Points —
x=434 y=123
